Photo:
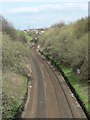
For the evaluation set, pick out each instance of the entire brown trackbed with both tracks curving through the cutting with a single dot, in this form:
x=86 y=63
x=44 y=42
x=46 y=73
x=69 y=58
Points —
x=49 y=95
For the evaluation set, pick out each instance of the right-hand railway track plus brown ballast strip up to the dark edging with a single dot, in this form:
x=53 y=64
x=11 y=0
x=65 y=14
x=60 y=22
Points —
x=67 y=110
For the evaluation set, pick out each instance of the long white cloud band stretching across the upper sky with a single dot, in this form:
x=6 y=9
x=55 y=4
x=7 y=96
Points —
x=48 y=7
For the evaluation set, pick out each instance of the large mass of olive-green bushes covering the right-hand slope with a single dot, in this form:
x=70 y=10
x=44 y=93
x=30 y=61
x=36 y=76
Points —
x=69 y=44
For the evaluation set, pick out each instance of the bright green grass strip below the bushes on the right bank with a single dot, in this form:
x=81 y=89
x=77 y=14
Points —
x=80 y=86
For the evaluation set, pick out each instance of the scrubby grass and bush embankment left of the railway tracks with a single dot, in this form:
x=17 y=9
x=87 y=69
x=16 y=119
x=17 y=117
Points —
x=15 y=59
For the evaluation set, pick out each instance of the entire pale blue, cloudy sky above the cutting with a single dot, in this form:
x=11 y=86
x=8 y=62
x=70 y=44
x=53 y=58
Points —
x=25 y=14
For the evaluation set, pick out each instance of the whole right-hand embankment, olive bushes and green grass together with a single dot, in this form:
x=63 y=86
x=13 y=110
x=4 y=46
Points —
x=68 y=46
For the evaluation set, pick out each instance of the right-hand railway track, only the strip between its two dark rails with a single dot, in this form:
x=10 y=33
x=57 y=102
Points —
x=58 y=87
